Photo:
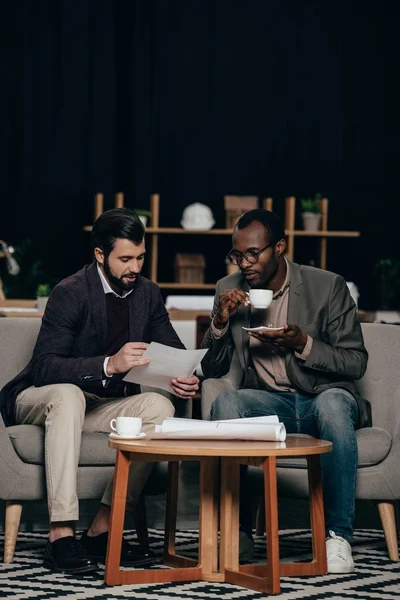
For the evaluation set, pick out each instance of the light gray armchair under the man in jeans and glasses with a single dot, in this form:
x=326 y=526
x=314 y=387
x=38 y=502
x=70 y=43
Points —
x=378 y=476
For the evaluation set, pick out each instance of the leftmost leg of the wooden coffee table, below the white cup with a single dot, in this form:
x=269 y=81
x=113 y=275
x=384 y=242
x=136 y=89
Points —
x=112 y=567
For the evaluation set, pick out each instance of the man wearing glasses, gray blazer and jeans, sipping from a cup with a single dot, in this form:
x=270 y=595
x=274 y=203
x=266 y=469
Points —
x=303 y=372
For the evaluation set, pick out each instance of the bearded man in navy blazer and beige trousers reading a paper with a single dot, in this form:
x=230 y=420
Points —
x=96 y=327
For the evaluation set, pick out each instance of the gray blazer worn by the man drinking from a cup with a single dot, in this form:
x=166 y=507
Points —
x=321 y=305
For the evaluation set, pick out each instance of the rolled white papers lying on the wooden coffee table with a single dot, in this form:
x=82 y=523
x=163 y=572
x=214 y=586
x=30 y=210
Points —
x=255 y=428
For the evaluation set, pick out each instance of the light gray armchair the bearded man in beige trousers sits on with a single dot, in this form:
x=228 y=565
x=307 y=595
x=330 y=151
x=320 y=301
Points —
x=22 y=476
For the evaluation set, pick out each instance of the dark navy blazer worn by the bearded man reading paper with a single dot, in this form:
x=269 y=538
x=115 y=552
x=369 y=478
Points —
x=72 y=340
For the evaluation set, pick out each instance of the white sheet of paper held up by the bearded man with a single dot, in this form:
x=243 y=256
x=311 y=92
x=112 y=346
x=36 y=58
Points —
x=166 y=363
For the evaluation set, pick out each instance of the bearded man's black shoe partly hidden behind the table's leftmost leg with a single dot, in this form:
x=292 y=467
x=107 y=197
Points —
x=131 y=556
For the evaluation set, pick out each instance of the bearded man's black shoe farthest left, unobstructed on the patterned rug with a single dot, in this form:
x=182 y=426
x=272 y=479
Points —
x=66 y=555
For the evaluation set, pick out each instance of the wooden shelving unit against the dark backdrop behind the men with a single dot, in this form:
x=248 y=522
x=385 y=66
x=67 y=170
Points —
x=154 y=231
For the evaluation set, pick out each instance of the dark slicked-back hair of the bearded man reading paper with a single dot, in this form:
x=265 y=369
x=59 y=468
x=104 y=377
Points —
x=114 y=224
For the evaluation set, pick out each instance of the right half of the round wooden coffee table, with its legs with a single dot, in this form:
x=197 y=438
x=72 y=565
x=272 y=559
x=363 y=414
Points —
x=266 y=577
